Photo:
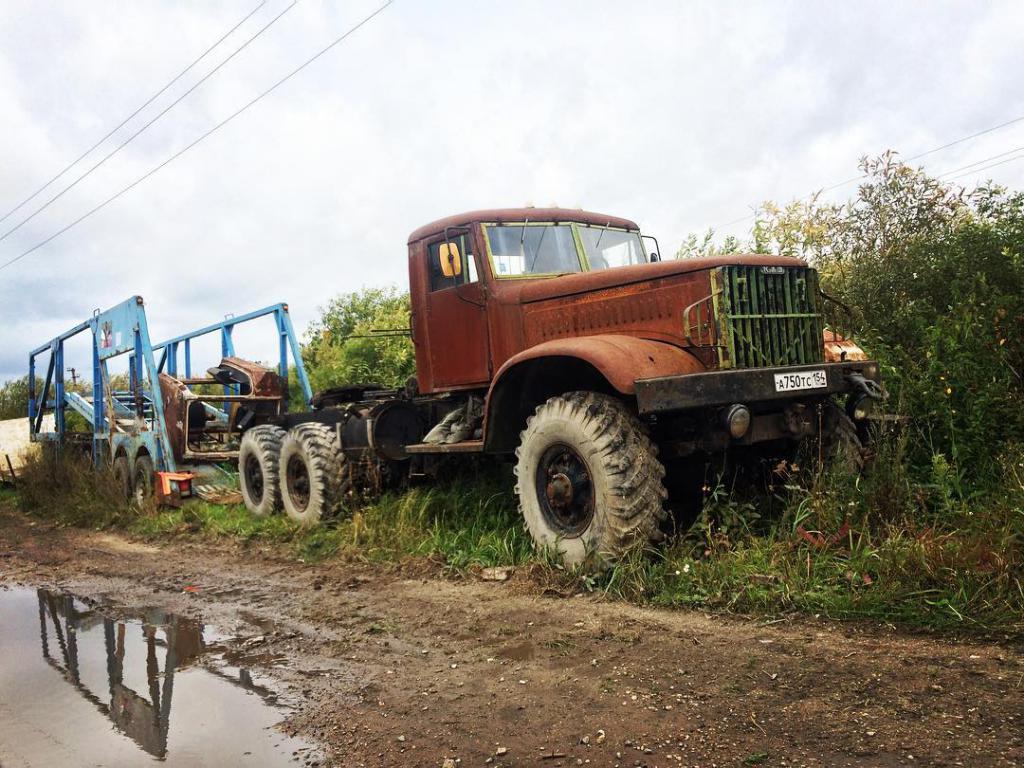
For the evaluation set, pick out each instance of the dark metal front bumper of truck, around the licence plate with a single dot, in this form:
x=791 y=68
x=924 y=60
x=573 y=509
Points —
x=669 y=394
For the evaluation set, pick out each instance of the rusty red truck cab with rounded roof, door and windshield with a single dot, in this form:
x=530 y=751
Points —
x=468 y=273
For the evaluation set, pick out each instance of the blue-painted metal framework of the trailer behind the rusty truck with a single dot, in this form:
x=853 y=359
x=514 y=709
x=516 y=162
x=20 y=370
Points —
x=139 y=422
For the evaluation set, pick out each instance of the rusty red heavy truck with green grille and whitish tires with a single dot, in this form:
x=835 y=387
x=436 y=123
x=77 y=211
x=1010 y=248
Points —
x=561 y=339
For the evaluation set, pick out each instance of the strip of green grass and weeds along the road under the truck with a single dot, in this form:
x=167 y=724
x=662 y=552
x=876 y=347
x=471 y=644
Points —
x=817 y=545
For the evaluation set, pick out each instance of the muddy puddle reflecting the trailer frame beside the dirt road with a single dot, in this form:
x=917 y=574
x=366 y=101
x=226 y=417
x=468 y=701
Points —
x=87 y=685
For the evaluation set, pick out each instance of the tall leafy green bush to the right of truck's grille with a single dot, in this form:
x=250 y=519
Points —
x=934 y=279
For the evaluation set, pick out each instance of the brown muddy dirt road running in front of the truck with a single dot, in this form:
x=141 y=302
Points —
x=396 y=671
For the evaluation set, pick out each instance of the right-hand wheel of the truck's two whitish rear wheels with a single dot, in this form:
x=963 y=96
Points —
x=314 y=477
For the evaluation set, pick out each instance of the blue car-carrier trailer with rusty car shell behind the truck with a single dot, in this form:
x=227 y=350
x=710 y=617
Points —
x=160 y=421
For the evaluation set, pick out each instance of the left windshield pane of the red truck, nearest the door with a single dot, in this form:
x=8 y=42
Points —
x=533 y=249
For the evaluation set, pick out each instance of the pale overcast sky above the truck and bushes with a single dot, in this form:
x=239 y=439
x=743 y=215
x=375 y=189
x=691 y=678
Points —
x=679 y=115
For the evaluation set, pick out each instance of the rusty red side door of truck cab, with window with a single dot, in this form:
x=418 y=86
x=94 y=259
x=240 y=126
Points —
x=457 y=318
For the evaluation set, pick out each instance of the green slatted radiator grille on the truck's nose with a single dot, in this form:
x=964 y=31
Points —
x=769 y=317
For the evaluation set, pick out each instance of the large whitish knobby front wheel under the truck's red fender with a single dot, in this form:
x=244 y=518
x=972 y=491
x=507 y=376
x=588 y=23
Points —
x=588 y=480
